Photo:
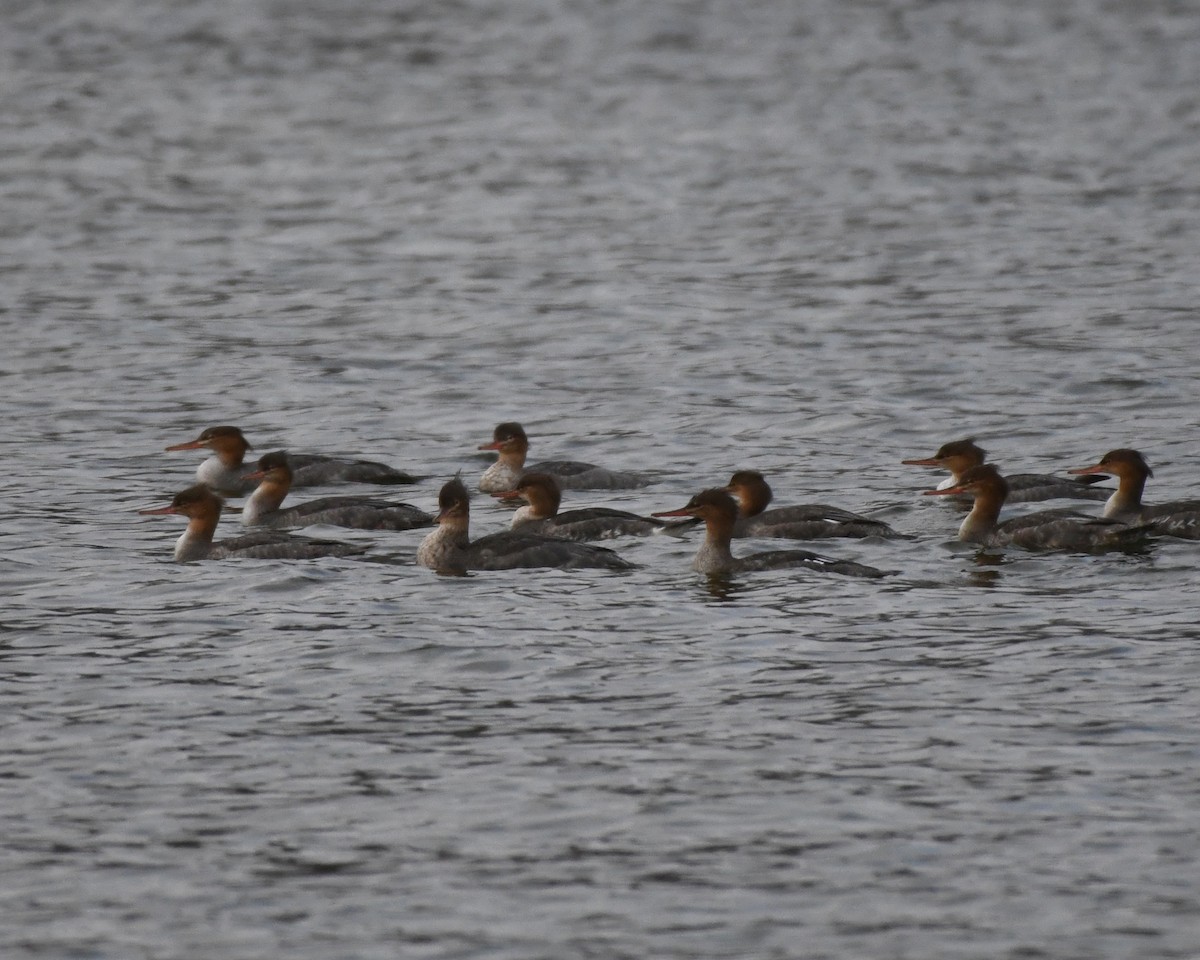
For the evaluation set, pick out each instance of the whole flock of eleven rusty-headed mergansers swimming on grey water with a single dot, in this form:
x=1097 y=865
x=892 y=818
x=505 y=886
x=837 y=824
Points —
x=544 y=536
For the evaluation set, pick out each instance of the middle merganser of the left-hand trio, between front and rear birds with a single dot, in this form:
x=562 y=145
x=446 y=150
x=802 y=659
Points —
x=274 y=479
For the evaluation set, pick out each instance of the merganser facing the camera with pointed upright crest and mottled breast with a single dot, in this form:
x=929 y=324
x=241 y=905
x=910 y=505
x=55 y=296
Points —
x=449 y=549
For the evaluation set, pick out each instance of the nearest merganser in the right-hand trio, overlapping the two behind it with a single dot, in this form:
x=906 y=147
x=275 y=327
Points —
x=1046 y=530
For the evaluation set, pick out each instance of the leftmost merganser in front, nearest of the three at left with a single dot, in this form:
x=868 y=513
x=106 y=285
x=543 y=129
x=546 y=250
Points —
x=202 y=508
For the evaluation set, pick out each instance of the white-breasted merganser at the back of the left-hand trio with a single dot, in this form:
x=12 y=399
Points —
x=225 y=470
